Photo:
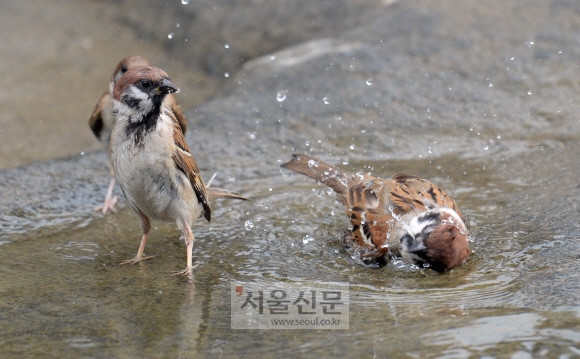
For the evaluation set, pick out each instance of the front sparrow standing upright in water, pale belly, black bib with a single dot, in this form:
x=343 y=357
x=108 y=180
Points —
x=152 y=161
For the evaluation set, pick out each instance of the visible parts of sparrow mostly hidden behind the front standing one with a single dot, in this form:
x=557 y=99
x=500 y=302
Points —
x=102 y=119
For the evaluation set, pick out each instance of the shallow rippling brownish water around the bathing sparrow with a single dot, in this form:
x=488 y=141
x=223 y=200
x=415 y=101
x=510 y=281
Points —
x=63 y=293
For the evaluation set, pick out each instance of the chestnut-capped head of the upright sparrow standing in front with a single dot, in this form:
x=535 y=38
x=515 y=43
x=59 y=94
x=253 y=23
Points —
x=141 y=90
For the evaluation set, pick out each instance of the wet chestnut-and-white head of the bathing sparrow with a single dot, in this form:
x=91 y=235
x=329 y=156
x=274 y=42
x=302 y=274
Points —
x=436 y=239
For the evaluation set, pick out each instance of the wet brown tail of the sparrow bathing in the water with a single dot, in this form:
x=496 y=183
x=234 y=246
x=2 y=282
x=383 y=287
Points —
x=331 y=176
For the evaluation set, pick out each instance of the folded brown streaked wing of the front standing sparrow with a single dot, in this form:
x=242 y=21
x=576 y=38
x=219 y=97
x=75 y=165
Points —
x=185 y=162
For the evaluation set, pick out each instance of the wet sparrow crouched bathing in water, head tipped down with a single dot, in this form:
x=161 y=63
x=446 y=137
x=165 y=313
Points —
x=405 y=216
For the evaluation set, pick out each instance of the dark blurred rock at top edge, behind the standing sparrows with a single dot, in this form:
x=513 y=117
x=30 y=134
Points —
x=219 y=36
